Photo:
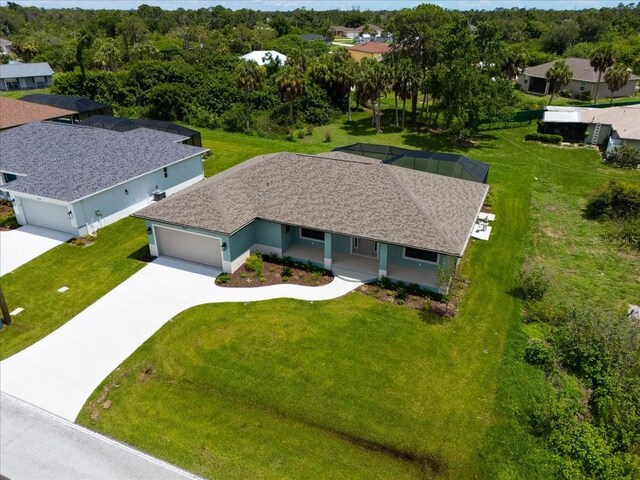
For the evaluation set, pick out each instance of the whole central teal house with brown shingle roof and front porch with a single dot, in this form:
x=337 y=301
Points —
x=344 y=212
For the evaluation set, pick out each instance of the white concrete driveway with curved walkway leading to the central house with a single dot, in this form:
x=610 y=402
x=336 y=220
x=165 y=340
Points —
x=59 y=372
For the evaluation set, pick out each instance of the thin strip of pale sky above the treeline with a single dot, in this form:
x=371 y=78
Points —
x=272 y=5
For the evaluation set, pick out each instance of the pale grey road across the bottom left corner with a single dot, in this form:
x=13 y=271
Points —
x=38 y=445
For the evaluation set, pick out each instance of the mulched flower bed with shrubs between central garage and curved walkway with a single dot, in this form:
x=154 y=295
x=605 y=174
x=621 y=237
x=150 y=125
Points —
x=273 y=275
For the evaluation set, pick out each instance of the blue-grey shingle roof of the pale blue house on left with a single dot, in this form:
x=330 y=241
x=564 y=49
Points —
x=68 y=162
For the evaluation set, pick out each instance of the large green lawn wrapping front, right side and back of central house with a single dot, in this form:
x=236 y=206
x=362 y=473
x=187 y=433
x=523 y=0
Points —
x=353 y=388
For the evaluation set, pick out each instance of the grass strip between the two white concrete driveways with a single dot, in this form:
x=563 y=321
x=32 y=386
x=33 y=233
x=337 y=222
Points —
x=89 y=272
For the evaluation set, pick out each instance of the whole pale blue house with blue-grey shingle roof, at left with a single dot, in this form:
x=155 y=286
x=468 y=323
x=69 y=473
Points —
x=77 y=179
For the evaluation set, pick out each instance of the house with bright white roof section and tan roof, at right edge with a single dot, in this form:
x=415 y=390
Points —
x=610 y=127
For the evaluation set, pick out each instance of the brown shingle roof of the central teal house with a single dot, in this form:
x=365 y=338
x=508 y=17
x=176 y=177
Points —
x=342 y=195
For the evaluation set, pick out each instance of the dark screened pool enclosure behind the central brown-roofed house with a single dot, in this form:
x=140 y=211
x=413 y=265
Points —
x=447 y=164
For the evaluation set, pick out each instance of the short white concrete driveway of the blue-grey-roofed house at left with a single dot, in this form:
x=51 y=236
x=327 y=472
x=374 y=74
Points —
x=23 y=244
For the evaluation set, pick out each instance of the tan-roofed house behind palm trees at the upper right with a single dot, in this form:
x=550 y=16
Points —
x=585 y=79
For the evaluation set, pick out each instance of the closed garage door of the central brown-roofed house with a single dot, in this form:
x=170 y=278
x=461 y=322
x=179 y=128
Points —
x=189 y=246
